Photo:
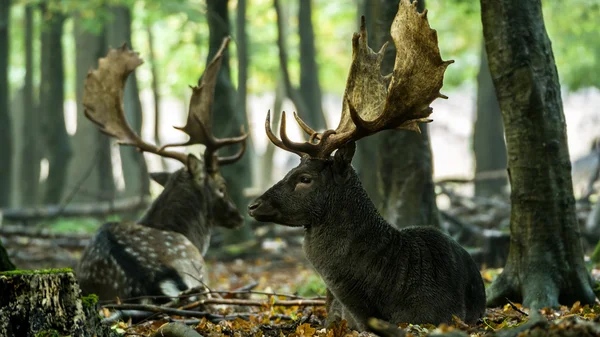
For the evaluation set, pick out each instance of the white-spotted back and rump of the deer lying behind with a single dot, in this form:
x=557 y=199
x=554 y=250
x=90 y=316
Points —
x=128 y=260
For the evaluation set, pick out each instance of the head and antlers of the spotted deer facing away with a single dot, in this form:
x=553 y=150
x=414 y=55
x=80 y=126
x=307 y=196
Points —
x=200 y=177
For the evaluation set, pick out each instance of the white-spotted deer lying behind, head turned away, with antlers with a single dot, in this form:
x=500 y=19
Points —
x=160 y=254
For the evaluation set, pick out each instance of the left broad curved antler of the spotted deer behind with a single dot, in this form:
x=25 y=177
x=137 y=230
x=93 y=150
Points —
x=103 y=100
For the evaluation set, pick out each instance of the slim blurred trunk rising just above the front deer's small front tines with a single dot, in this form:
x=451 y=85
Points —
x=310 y=89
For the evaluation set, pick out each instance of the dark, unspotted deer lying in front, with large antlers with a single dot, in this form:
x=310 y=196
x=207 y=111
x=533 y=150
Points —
x=371 y=269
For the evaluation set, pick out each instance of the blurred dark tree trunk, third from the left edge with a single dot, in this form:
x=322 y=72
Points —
x=58 y=145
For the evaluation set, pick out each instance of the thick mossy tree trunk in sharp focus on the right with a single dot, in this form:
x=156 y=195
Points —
x=545 y=265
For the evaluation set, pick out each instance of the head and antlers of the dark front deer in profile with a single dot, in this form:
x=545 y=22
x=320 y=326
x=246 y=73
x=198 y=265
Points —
x=372 y=103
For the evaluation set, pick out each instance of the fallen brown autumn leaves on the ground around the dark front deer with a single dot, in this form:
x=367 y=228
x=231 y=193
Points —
x=293 y=279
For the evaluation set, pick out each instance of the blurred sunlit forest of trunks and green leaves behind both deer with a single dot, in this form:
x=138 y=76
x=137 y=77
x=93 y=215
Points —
x=51 y=154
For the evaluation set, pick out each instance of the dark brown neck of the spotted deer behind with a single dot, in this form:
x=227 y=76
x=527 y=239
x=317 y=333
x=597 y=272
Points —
x=181 y=211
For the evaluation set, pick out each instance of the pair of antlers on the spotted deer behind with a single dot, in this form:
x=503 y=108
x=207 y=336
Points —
x=103 y=105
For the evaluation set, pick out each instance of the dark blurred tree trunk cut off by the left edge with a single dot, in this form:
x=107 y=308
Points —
x=5 y=126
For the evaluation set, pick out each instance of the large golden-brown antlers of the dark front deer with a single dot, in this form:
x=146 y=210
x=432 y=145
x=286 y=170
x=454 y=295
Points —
x=369 y=104
